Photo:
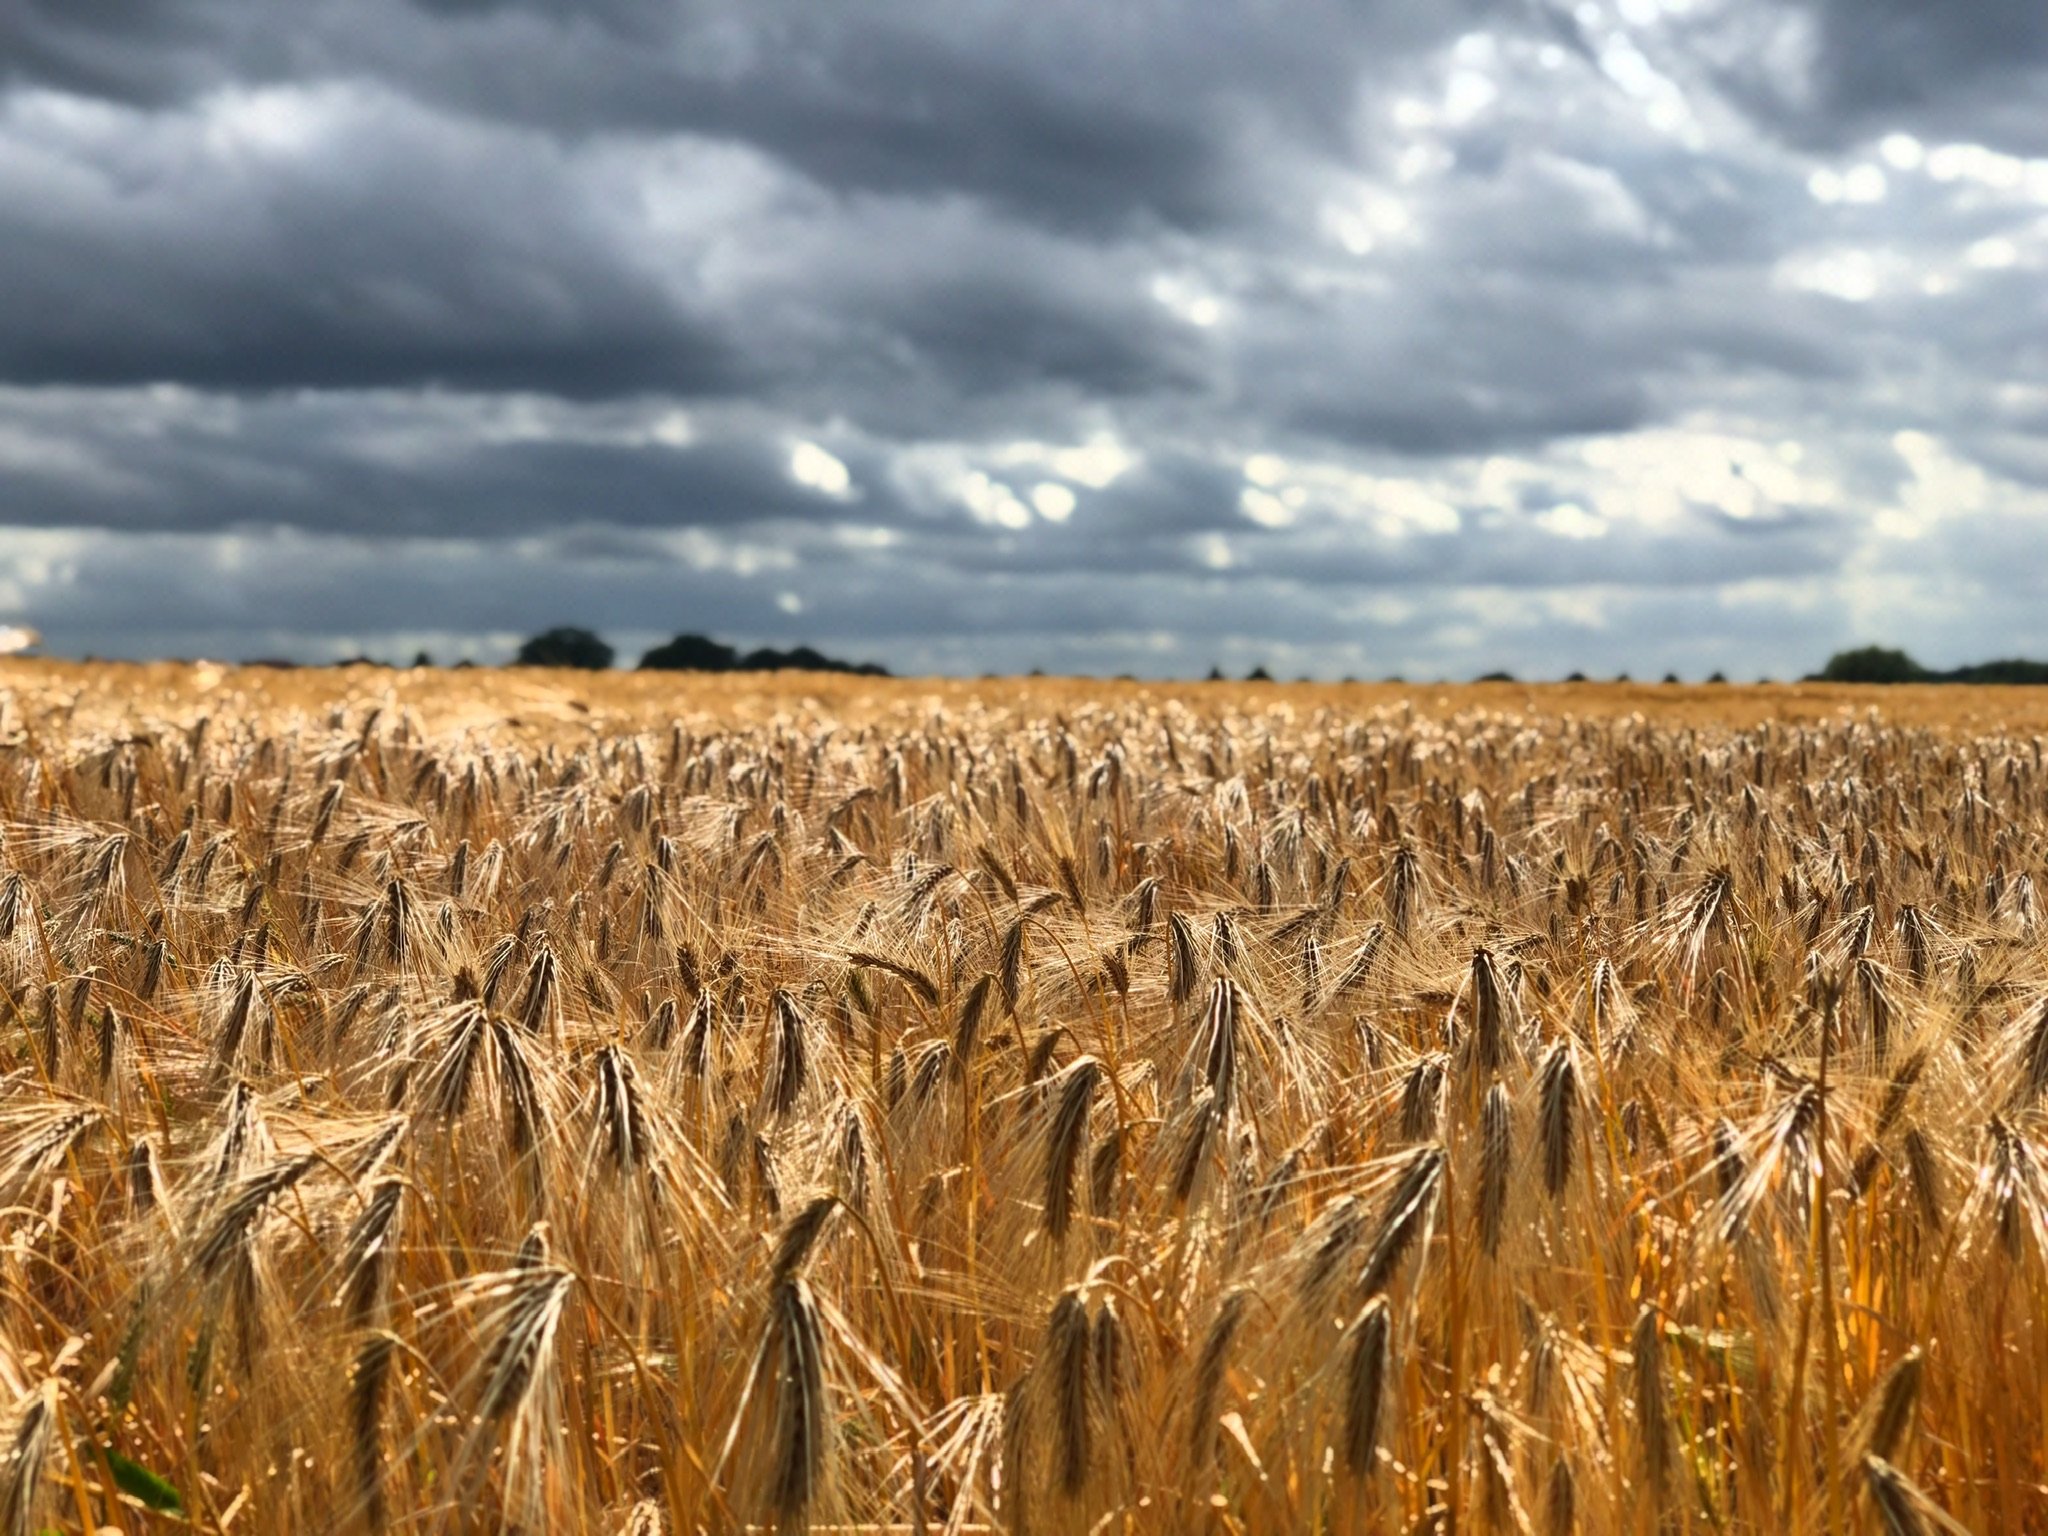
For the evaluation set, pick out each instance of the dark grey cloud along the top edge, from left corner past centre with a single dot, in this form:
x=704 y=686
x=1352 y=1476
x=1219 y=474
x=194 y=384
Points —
x=1072 y=114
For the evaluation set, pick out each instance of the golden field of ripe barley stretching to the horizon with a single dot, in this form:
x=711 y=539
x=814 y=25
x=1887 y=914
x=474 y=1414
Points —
x=470 y=1101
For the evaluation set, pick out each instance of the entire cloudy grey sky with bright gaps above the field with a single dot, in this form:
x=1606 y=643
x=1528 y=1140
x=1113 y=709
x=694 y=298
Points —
x=1336 y=337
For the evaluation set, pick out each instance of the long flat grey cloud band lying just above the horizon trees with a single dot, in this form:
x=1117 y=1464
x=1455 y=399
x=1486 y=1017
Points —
x=316 y=597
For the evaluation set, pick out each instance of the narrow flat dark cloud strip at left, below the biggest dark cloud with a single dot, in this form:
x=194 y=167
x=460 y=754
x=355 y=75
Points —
x=400 y=468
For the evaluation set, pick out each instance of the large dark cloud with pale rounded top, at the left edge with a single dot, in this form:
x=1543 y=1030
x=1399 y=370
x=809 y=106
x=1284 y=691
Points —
x=341 y=241
